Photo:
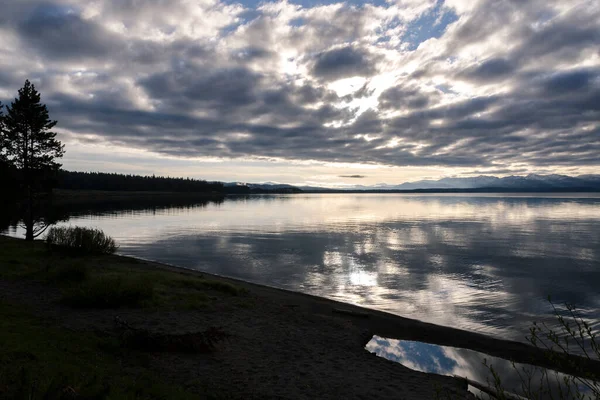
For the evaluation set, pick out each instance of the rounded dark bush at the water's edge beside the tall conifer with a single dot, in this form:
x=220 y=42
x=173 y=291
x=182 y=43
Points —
x=86 y=240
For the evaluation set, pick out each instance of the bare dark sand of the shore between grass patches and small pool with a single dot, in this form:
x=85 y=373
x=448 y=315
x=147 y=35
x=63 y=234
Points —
x=283 y=345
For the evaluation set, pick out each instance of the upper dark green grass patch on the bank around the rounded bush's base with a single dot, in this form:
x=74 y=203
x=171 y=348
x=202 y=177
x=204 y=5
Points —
x=107 y=281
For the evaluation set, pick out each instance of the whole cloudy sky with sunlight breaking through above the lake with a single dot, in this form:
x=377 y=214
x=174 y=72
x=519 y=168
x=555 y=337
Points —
x=314 y=93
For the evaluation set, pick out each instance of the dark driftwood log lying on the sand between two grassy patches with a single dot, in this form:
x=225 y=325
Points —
x=145 y=340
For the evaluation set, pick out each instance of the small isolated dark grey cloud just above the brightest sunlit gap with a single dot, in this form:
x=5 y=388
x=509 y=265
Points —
x=343 y=63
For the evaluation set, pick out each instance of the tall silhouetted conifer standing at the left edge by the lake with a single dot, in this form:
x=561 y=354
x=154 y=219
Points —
x=30 y=146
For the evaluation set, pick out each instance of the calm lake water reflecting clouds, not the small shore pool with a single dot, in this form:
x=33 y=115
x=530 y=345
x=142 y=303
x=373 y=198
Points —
x=485 y=263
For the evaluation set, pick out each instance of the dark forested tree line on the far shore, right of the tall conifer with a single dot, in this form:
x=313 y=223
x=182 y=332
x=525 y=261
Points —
x=121 y=182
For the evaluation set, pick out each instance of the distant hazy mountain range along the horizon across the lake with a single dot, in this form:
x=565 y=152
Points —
x=530 y=182
